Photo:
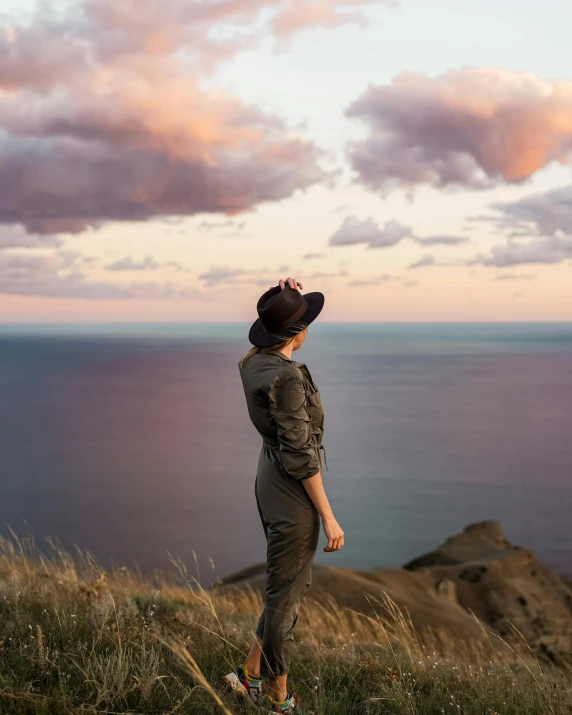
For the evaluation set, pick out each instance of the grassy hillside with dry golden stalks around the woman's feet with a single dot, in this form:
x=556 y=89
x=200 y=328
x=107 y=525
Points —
x=74 y=639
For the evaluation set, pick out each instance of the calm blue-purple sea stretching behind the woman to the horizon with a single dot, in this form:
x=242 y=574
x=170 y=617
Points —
x=134 y=441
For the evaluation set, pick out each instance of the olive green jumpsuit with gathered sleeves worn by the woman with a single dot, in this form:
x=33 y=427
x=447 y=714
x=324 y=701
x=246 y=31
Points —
x=285 y=407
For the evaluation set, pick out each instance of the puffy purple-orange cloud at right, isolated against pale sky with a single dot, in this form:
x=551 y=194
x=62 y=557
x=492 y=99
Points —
x=474 y=127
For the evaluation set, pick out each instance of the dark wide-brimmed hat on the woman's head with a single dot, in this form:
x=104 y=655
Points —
x=282 y=314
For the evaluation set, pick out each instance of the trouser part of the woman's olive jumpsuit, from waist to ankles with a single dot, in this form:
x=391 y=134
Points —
x=292 y=528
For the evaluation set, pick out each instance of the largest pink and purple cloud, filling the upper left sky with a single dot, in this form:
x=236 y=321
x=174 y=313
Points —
x=104 y=115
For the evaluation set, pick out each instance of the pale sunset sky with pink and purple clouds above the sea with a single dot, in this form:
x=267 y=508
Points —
x=172 y=161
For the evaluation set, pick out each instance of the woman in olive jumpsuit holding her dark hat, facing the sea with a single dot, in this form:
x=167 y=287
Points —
x=285 y=407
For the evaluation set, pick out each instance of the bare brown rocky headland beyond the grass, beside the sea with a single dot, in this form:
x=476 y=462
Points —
x=475 y=572
